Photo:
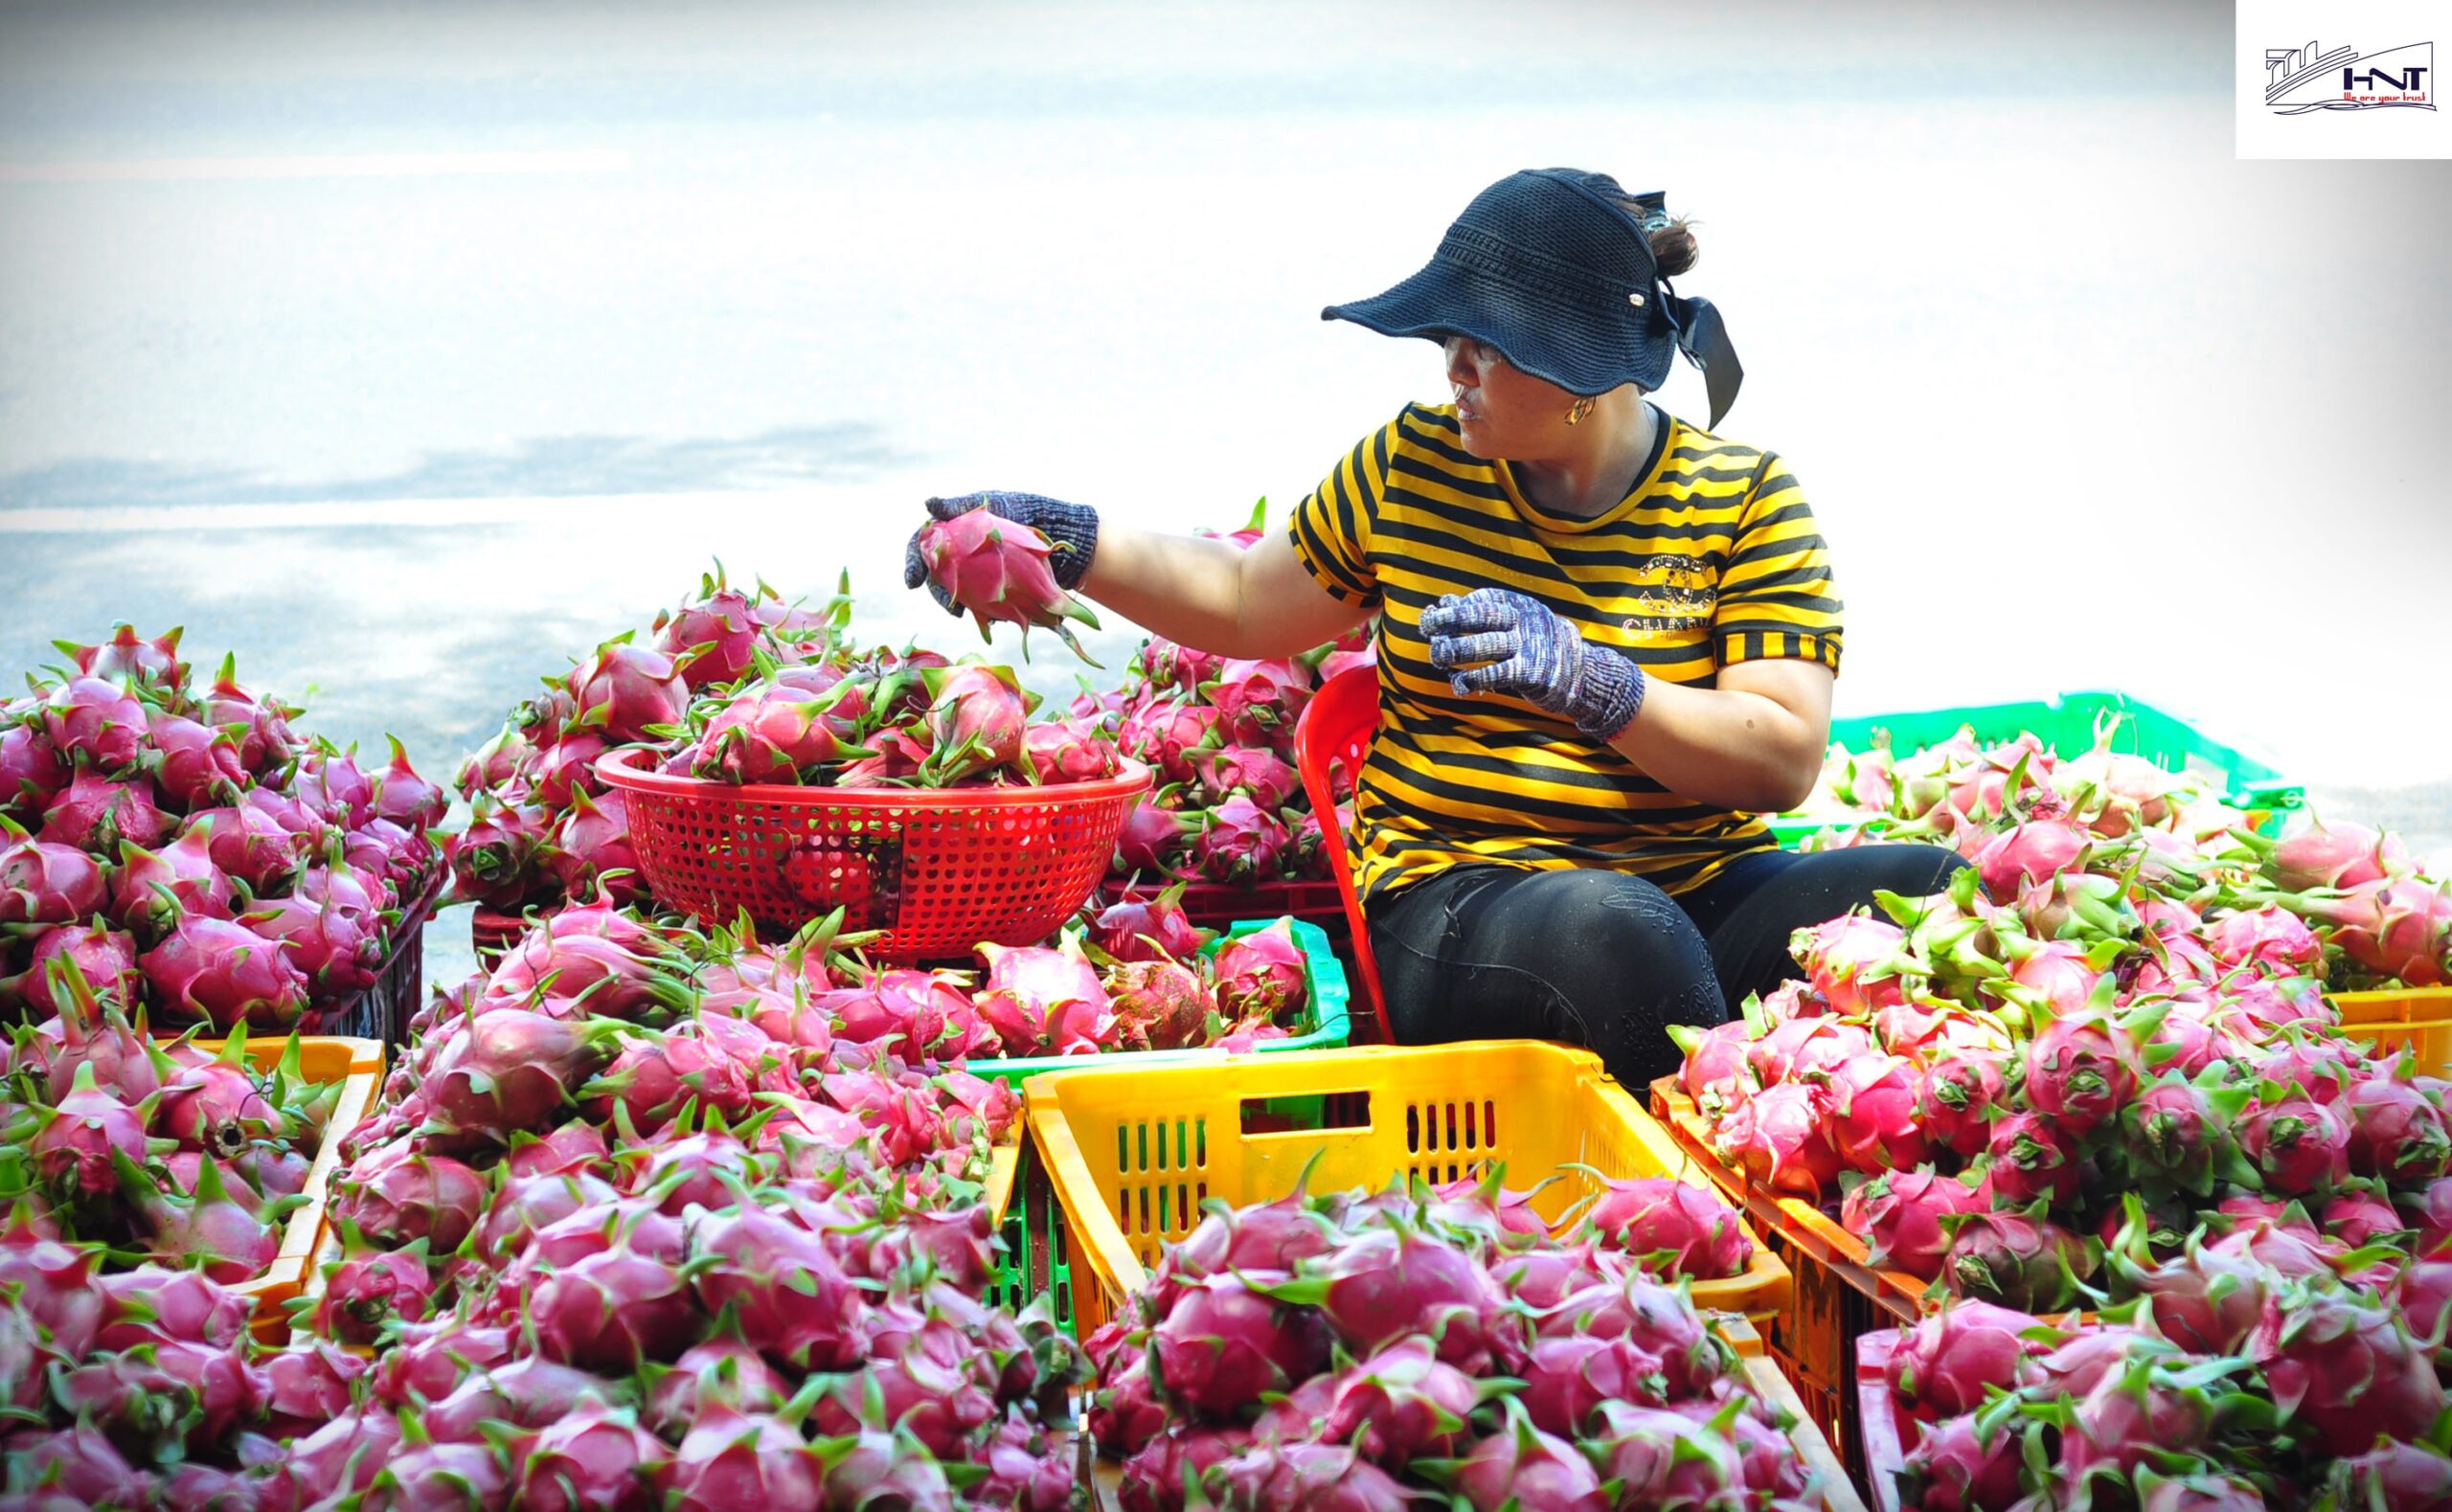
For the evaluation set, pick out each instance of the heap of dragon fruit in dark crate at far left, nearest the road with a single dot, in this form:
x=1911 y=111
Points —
x=188 y=854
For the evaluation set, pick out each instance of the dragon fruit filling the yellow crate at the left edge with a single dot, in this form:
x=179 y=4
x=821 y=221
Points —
x=173 y=1153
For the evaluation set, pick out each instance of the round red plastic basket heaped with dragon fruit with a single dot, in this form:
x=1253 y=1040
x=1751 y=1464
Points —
x=938 y=871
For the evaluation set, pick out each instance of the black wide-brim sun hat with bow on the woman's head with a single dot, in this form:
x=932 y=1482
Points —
x=1553 y=273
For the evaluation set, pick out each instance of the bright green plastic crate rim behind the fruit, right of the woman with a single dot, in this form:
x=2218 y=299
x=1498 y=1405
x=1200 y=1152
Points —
x=2068 y=727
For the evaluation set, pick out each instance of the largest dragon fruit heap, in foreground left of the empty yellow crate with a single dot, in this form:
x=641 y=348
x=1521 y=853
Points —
x=668 y=1219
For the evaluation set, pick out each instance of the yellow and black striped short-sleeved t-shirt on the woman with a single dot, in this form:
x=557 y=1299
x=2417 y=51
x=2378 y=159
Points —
x=1713 y=560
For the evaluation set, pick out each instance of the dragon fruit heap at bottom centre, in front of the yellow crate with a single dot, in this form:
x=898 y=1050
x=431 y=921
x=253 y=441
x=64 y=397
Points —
x=1438 y=1347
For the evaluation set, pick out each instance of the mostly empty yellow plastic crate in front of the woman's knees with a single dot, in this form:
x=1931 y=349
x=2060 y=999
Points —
x=1134 y=1153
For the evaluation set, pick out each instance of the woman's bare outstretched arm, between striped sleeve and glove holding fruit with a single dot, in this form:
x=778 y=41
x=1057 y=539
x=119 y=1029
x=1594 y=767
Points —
x=1215 y=597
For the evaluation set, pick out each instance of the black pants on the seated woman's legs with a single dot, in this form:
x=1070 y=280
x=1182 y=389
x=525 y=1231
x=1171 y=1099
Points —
x=1605 y=959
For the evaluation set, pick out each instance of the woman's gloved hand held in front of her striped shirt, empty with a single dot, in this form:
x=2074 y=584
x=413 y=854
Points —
x=1497 y=641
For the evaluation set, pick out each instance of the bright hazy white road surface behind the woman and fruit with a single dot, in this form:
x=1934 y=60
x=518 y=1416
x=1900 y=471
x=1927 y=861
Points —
x=411 y=349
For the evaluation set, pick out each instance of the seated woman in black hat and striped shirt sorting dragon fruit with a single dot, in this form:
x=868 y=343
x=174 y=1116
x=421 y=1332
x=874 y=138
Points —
x=1607 y=641
